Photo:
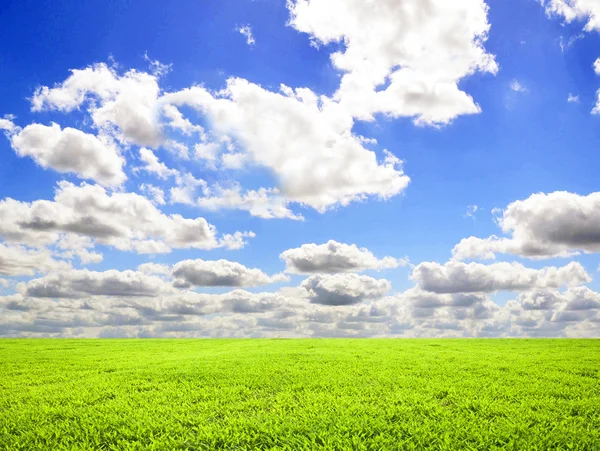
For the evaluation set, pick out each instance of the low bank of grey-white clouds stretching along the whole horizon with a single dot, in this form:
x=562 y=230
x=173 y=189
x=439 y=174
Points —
x=130 y=303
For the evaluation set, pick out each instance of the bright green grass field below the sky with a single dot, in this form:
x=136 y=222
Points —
x=299 y=394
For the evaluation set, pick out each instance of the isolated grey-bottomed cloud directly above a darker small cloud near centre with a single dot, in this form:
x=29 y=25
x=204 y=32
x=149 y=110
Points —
x=334 y=257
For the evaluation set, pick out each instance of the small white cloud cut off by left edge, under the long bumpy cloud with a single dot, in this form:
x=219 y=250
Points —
x=21 y=261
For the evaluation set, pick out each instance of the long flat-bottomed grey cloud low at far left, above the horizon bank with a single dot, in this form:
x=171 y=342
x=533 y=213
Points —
x=81 y=283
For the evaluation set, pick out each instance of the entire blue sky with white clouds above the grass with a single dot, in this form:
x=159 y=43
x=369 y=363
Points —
x=300 y=168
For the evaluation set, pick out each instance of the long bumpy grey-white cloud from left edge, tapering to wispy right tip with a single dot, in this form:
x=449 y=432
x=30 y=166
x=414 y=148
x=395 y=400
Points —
x=126 y=221
